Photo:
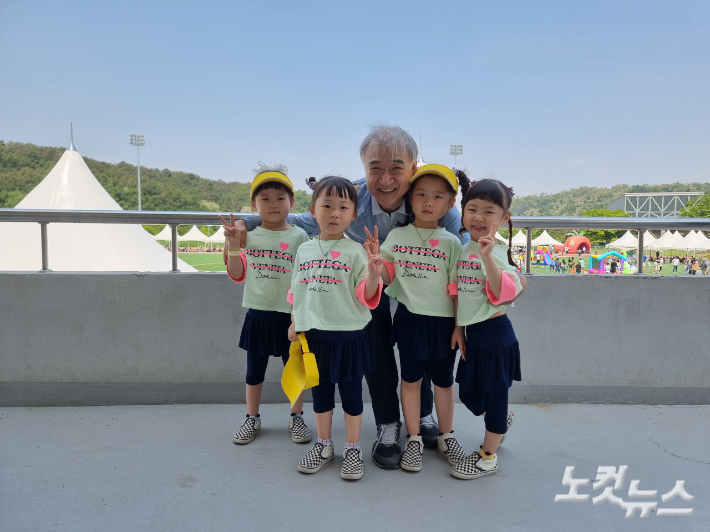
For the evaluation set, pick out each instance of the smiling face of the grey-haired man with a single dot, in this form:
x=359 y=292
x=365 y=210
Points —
x=387 y=174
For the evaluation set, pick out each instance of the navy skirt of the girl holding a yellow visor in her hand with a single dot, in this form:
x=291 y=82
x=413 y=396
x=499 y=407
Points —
x=342 y=356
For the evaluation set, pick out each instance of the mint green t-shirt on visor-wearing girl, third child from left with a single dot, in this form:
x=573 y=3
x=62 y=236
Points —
x=425 y=265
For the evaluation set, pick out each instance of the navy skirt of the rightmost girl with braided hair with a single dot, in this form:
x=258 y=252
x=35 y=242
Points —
x=492 y=357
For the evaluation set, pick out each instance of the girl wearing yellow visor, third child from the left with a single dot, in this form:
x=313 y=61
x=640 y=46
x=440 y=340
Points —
x=420 y=262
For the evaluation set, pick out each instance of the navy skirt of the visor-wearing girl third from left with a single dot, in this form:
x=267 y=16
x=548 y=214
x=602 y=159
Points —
x=422 y=337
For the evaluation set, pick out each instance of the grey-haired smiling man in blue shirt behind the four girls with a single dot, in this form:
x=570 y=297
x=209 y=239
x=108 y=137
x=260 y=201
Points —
x=389 y=155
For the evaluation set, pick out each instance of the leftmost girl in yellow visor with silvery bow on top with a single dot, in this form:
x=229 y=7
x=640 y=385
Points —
x=265 y=266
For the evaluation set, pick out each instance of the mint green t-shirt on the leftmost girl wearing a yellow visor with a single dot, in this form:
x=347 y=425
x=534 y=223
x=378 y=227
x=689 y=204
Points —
x=270 y=259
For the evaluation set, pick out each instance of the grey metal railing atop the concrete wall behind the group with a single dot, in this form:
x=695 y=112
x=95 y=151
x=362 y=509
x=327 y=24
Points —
x=176 y=218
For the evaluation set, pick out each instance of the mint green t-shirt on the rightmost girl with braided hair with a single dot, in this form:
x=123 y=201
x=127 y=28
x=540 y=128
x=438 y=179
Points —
x=473 y=305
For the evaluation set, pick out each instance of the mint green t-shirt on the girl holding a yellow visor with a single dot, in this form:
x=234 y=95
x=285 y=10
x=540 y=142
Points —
x=323 y=286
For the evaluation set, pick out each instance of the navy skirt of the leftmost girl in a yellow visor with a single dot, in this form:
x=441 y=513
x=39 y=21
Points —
x=265 y=333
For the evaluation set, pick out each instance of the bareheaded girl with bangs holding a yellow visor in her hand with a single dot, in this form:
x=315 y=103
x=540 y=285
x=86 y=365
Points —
x=335 y=284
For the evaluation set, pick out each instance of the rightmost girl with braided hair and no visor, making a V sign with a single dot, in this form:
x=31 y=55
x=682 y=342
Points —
x=491 y=360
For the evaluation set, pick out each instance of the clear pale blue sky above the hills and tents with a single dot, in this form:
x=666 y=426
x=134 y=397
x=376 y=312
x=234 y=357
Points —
x=545 y=95
